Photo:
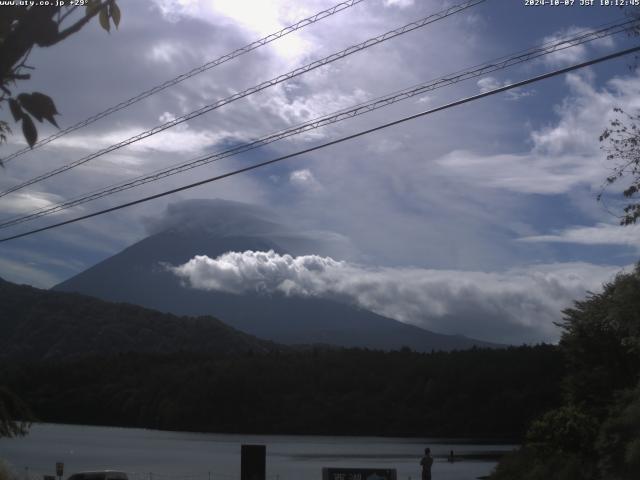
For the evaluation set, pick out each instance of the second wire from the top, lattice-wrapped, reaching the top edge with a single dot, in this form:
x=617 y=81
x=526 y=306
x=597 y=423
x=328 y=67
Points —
x=264 y=85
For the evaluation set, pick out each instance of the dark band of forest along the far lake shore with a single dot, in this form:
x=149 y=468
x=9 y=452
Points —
x=478 y=392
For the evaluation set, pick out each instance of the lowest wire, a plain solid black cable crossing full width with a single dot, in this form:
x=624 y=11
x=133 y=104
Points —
x=333 y=142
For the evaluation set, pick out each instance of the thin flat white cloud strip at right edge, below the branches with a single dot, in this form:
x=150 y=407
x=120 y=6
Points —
x=600 y=234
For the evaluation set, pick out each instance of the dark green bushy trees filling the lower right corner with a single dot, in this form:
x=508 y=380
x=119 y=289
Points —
x=596 y=433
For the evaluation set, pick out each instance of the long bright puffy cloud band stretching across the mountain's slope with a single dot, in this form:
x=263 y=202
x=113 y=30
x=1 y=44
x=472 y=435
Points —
x=511 y=306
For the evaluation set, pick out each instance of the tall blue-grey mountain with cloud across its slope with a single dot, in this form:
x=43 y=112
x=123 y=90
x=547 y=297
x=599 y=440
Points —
x=136 y=275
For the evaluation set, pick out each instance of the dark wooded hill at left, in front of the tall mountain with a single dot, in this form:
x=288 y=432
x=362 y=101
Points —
x=38 y=324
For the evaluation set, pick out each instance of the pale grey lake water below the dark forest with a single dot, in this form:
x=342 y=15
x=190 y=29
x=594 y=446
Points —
x=160 y=455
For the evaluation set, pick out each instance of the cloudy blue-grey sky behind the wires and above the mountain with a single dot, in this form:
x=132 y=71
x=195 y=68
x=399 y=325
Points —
x=480 y=220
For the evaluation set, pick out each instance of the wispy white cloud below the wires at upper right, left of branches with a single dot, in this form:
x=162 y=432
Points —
x=564 y=154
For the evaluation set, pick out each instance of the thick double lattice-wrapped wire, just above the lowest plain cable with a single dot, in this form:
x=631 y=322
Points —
x=365 y=107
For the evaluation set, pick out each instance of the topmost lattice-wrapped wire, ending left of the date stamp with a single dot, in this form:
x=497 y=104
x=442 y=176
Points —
x=180 y=78
